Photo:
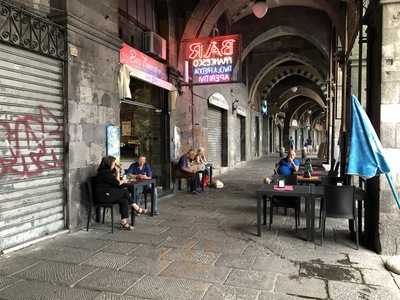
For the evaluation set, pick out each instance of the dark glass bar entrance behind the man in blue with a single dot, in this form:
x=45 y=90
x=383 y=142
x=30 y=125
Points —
x=144 y=129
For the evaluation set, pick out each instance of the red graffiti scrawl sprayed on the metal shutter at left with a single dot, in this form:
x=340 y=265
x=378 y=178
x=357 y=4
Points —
x=28 y=144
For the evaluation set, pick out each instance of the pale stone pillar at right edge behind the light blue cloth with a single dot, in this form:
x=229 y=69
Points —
x=389 y=218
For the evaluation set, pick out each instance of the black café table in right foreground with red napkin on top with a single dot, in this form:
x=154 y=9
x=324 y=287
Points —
x=271 y=190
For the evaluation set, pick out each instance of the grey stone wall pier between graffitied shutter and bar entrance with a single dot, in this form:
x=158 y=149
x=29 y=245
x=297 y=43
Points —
x=92 y=100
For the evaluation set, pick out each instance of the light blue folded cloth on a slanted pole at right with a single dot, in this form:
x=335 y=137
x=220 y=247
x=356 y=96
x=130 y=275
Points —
x=366 y=157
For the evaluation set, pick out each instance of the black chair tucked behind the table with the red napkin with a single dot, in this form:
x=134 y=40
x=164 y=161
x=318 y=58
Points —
x=286 y=202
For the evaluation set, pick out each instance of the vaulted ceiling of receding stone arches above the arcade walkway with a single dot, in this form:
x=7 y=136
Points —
x=286 y=53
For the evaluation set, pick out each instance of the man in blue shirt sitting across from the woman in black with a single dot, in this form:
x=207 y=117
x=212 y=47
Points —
x=141 y=170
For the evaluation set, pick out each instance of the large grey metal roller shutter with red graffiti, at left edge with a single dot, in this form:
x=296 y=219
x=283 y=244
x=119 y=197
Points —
x=31 y=146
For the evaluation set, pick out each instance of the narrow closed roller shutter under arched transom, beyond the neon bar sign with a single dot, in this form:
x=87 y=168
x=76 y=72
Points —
x=214 y=124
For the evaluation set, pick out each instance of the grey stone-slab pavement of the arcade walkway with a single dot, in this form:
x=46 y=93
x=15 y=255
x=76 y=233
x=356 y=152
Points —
x=200 y=247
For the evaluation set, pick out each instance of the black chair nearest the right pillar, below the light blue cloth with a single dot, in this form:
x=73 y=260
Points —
x=339 y=202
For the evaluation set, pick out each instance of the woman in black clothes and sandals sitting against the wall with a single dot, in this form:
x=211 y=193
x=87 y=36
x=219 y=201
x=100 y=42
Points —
x=108 y=189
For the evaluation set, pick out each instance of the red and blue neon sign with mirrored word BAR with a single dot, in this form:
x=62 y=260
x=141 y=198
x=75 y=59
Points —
x=212 y=60
